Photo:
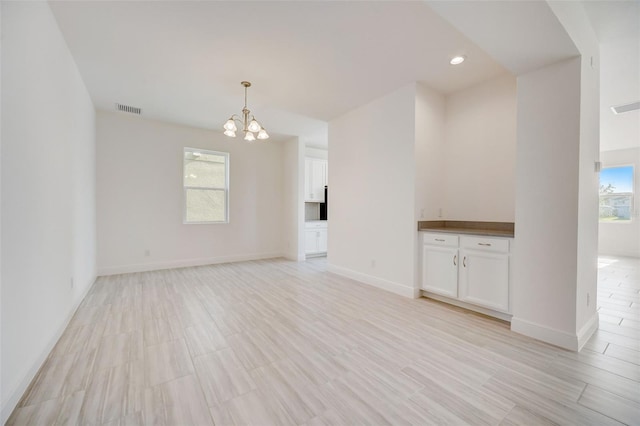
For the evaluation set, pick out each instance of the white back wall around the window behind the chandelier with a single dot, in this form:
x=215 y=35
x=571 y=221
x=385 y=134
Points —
x=140 y=197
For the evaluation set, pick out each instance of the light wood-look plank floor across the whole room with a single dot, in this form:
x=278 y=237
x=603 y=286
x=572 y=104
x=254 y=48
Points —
x=279 y=342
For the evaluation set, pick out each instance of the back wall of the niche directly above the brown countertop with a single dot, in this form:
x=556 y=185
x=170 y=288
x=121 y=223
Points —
x=480 y=152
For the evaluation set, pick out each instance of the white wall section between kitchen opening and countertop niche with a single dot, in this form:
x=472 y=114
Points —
x=372 y=181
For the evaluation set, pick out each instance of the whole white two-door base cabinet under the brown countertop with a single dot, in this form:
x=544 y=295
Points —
x=472 y=269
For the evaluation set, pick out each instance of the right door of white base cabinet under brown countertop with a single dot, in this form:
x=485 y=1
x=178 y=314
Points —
x=484 y=279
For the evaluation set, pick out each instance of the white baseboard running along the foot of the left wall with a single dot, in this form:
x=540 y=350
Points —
x=16 y=394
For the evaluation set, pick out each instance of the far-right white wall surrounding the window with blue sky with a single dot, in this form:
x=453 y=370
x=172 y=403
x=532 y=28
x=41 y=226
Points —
x=622 y=239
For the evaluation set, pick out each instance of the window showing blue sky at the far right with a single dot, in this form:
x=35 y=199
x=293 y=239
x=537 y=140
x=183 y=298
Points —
x=616 y=194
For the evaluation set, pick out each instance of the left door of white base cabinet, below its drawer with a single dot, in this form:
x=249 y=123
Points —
x=440 y=270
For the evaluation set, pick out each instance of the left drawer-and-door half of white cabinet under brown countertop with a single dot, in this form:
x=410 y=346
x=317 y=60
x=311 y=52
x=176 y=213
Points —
x=440 y=264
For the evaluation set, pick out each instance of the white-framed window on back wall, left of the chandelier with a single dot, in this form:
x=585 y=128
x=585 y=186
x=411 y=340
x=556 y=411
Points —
x=206 y=186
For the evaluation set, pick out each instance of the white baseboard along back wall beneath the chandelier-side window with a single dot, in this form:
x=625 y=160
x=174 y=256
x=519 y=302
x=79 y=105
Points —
x=154 y=266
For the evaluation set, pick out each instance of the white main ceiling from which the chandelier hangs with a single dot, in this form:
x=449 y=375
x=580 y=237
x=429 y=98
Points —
x=308 y=61
